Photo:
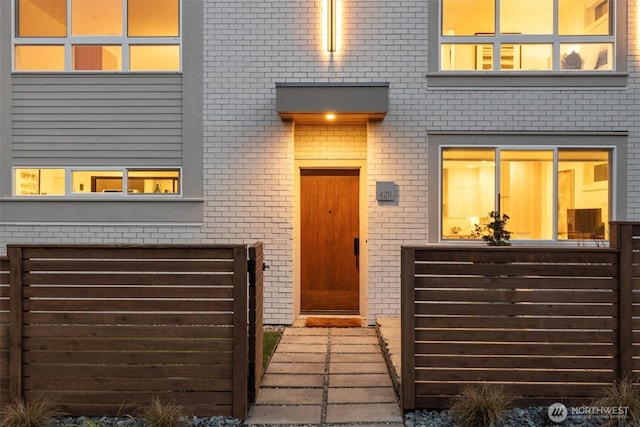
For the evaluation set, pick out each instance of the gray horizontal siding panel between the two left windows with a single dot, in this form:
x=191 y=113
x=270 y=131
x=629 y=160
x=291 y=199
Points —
x=97 y=120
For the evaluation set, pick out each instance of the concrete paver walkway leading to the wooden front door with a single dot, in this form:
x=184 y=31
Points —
x=327 y=377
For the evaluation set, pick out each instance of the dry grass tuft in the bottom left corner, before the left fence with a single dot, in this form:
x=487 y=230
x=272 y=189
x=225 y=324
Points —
x=34 y=413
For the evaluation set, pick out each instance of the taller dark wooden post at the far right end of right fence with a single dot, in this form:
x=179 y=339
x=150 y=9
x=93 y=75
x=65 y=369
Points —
x=624 y=242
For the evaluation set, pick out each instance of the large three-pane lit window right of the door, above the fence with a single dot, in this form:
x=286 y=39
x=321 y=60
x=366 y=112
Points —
x=548 y=193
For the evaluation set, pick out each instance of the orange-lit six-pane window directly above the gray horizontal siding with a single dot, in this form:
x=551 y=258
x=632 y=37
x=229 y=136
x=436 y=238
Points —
x=97 y=35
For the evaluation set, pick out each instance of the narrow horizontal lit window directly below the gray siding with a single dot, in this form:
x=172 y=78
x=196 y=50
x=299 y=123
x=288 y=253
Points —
x=53 y=182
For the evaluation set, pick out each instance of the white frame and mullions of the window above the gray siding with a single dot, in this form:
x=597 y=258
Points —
x=69 y=41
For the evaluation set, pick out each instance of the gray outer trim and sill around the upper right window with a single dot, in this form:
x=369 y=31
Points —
x=528 y=78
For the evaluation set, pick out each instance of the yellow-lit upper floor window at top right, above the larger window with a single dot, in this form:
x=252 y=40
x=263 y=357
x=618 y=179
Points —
x=527 y=35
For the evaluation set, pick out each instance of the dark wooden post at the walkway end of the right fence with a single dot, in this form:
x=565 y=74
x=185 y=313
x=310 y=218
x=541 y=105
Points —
x=407 y=352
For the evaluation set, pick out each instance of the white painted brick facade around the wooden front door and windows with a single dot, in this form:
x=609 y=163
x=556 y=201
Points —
x=249 y=153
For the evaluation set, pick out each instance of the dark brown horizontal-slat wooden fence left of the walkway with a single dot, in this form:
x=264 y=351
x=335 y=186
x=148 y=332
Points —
x=96 y=328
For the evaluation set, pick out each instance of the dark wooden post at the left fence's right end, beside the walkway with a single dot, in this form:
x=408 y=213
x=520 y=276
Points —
x=240 y=346
